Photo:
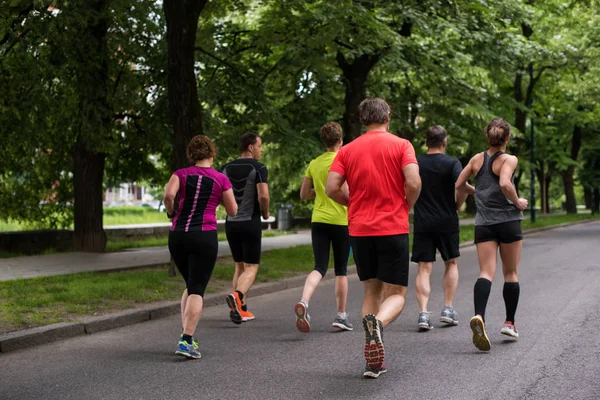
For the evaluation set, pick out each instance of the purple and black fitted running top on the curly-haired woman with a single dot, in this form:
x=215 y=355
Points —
x=200 y=192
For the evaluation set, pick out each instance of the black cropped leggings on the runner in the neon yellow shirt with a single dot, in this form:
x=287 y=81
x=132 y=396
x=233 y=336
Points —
x=325 y=236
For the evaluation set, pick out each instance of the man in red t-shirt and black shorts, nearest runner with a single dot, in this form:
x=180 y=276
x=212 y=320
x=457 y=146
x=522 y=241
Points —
x=383 y=177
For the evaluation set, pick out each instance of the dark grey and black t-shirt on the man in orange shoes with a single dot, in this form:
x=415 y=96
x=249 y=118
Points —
x=244 y=174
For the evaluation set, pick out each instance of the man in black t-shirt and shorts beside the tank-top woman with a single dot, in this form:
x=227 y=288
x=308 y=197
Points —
x=436 y=225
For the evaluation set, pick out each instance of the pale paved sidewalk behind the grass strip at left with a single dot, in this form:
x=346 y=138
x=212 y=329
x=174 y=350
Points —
x=69 y=263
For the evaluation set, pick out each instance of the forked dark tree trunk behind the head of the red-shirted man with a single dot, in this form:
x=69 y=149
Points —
x=355 y=77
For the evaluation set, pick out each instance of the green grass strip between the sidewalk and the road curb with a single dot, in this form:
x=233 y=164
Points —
x=72 y=297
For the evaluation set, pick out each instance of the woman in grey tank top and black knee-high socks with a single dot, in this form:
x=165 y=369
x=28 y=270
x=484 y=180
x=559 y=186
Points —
x=497 y=226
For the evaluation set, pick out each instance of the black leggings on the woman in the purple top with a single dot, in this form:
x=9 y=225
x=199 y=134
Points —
x=195 y=254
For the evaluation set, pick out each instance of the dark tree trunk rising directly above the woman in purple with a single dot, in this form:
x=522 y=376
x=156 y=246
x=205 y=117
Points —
x=184 y=108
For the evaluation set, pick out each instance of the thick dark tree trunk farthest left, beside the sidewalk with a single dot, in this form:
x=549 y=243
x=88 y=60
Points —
x=94 y=126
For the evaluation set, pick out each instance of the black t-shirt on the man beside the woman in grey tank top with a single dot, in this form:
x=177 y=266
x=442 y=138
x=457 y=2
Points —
x=435 y=210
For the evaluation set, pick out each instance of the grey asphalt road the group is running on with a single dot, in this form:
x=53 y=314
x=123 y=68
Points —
x=557 y=356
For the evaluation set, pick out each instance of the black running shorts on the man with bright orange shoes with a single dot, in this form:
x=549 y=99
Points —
x=245 y=239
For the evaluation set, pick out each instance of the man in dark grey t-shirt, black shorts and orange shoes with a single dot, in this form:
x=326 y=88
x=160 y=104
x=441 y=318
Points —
x=249 y=179
